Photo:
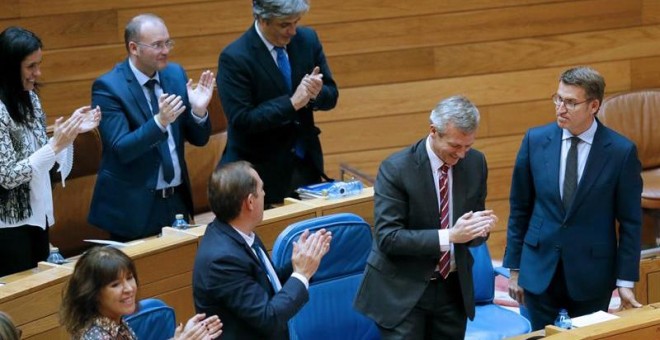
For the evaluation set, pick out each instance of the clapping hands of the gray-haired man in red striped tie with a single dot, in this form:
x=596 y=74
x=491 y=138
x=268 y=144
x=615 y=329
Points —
x=472 y=225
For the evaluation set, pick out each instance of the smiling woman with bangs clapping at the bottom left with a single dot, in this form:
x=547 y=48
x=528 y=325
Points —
x=102 y=289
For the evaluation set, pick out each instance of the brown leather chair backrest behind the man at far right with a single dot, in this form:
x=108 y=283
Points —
x=636 y=115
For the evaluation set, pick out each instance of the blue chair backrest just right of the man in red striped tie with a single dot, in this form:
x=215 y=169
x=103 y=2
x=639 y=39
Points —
x=483 y=275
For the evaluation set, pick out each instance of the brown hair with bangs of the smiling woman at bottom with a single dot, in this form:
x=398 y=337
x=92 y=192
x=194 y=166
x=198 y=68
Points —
x=95 y=269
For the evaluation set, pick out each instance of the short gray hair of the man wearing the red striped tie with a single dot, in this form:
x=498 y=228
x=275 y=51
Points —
x=457 y=110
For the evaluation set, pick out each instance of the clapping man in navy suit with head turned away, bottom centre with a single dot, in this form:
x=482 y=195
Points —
x=233 y=276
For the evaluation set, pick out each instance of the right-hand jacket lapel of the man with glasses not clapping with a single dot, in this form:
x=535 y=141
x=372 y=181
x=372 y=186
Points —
x=596 y=161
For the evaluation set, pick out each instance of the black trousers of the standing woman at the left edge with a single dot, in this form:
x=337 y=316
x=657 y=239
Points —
x=22 y=248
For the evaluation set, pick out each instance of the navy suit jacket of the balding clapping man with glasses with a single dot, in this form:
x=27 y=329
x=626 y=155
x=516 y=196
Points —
x=124 y=191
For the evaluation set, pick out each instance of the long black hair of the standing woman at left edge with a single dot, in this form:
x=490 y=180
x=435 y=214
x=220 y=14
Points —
x=16 y=44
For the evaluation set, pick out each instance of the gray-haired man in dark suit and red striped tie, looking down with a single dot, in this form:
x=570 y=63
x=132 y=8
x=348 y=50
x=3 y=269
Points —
x=418 y=280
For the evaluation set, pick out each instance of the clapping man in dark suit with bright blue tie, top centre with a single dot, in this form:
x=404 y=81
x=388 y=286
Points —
x=270 y=116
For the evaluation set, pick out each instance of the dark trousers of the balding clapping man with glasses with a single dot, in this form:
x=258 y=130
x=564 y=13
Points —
x=162 y=214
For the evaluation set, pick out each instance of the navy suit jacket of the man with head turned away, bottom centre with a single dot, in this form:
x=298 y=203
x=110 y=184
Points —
x=228 y=281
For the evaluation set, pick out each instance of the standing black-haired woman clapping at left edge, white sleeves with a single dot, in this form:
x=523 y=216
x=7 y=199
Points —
x=27 y=154
